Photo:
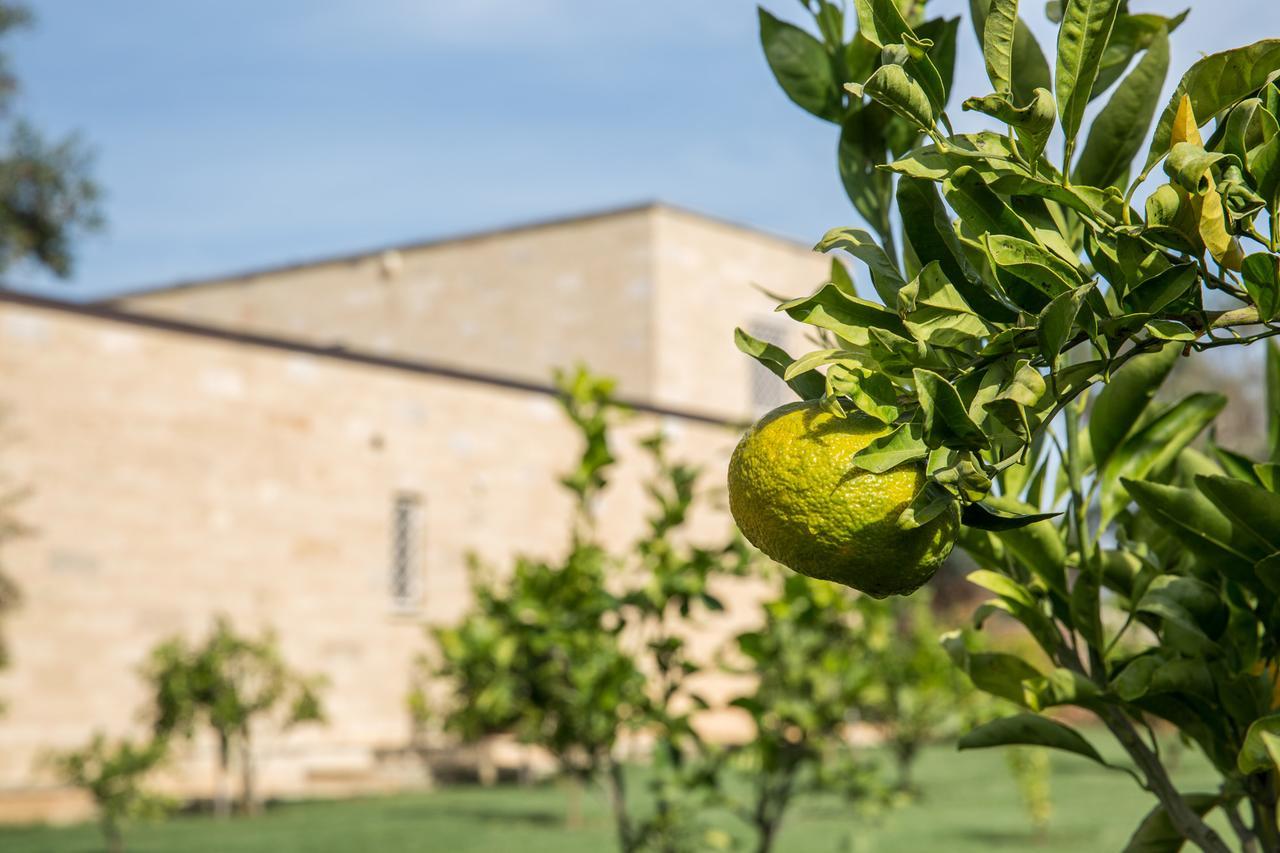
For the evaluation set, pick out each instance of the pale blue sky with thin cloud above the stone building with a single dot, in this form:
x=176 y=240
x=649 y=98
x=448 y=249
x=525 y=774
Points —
x=236 y=135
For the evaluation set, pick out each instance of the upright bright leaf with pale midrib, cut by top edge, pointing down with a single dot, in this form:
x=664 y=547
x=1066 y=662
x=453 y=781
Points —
x=1082 y=40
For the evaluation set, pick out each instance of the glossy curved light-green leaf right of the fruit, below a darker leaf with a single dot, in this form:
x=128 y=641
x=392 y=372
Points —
x=1155 y=446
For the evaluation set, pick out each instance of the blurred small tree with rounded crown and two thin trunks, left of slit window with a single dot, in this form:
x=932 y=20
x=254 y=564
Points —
x=231 y=683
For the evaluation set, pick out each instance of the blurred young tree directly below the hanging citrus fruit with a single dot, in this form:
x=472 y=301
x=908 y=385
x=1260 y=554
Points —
x=813 y=681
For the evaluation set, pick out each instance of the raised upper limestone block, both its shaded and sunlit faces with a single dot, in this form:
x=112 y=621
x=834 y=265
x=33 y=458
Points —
x=648 y=295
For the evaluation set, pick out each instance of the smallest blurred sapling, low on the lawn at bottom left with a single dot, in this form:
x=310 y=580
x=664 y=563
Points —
x=113 y=774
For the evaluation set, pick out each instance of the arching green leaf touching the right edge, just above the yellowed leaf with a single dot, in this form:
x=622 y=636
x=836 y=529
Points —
x=1213 y=85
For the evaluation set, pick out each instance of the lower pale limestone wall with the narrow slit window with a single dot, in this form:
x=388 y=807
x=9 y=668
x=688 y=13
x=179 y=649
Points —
x=175 y=477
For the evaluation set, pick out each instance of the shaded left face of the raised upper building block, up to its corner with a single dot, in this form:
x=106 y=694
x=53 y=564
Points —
x=514 y=304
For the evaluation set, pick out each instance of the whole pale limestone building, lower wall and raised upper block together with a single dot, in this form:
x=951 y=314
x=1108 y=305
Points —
x=318 y=448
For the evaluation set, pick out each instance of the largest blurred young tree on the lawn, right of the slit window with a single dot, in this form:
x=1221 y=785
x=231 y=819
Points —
x=573 y=655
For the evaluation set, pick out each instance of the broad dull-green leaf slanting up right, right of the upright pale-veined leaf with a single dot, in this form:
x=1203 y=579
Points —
x=1119 y=130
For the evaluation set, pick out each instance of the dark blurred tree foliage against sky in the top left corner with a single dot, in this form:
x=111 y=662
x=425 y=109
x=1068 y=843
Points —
x=48 y=199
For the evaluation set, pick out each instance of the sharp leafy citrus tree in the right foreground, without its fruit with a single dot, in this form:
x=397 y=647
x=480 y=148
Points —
x=1017 y=344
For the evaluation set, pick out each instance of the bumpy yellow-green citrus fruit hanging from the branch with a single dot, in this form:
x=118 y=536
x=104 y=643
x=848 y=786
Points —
x=796 y=498
